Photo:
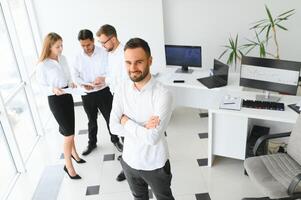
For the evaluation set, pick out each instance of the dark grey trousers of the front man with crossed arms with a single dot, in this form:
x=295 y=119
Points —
x=159 y=180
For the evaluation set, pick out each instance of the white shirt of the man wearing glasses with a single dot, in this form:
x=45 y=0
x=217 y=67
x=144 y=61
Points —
x=116 y=68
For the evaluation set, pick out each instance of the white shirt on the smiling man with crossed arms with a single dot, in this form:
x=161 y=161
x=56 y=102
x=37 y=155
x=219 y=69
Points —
x=144 y=149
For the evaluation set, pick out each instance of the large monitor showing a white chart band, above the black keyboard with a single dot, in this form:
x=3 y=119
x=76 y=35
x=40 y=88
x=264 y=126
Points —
x=270 y=75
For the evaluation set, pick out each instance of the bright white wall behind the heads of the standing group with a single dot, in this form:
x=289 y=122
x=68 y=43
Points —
x=131 y=18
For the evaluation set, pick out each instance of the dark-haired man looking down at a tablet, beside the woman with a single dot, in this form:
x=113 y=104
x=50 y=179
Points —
x=90 y=70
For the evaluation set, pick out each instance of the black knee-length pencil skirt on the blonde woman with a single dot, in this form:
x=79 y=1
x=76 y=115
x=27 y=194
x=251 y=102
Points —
x=62 y=108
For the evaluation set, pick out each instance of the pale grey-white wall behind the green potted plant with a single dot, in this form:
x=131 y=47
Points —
x=209 y=23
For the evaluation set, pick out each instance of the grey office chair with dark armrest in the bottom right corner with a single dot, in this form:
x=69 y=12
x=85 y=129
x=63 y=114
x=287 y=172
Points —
x=278 y=175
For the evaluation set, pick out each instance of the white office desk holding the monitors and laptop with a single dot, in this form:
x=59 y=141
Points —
x=227 y=129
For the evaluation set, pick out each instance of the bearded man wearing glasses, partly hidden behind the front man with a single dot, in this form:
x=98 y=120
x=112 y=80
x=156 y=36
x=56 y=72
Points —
x=107 y=37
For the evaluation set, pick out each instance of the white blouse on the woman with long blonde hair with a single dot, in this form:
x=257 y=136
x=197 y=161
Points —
x=51 y=73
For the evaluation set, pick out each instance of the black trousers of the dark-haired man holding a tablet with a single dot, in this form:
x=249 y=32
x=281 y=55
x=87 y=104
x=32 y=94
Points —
x=92 y=102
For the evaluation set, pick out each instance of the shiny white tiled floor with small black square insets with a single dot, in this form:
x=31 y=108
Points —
x=187 y=139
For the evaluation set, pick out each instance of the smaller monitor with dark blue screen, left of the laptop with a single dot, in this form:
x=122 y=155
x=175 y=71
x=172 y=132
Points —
x=184 y=56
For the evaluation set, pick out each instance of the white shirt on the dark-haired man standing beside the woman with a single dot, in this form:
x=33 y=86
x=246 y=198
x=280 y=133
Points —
x=87 y=68
